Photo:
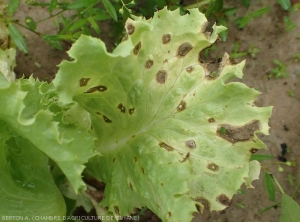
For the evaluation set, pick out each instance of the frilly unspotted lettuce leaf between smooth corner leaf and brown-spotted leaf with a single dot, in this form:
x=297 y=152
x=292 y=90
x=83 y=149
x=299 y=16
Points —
x=29 y=109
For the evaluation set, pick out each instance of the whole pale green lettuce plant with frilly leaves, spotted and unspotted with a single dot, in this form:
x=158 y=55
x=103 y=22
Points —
x=150 y=121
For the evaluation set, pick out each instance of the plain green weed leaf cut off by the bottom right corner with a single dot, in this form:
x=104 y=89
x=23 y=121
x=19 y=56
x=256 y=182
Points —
x=290 y=210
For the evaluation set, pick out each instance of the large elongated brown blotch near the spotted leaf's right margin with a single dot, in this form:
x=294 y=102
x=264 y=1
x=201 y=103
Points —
x=235 y=134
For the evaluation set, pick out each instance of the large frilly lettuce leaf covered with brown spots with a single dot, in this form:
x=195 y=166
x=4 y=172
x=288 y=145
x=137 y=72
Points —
x=157 y=115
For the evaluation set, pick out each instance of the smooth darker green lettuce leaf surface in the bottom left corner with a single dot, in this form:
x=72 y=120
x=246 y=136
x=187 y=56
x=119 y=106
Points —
x=27 y=188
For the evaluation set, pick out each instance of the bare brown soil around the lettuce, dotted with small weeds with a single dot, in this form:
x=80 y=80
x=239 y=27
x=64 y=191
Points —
x=266 y=33
